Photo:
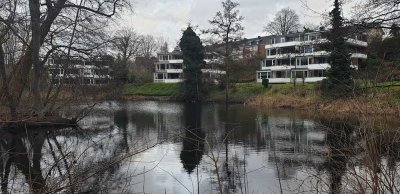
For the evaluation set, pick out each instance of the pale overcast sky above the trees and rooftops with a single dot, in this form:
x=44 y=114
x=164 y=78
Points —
x=167 y=18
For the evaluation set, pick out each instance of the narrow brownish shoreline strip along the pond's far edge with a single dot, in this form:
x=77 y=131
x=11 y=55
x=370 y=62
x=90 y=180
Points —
x=310 y=105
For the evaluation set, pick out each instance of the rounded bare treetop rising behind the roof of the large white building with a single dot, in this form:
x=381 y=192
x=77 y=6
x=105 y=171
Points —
x=285 y=21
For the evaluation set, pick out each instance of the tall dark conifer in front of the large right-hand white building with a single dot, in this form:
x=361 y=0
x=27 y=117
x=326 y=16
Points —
x=339 y=82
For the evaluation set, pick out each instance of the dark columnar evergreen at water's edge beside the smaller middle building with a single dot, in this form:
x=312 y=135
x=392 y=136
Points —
x=193 y=60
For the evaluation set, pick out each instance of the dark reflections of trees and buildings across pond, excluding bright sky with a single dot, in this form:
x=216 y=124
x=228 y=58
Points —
x=331 y=148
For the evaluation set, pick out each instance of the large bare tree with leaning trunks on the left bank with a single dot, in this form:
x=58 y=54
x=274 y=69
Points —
x=48 y=27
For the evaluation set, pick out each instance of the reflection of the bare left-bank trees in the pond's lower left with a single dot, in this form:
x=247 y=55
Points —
x=60 y=161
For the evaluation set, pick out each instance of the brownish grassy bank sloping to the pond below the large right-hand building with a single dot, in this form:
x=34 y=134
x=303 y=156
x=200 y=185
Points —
x=375 y=100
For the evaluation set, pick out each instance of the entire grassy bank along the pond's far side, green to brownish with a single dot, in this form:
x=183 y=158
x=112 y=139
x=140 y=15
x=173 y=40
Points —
x=382 y=99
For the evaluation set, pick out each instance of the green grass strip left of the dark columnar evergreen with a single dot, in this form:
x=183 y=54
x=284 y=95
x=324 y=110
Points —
x=152 y=89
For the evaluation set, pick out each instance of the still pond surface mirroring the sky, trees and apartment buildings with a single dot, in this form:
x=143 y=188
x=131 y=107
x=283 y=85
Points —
x=163 y=147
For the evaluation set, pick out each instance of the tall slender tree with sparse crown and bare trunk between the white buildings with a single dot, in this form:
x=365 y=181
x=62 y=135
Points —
x=228 y=28
